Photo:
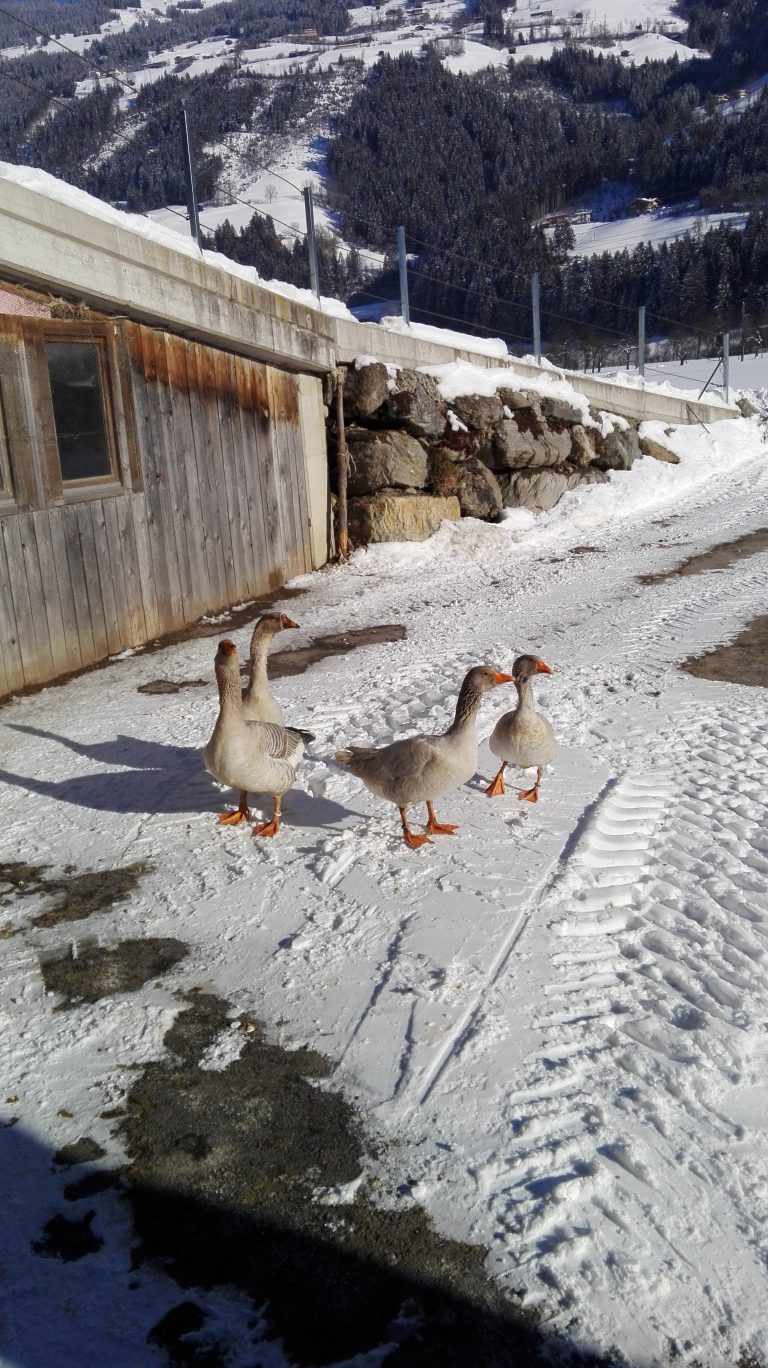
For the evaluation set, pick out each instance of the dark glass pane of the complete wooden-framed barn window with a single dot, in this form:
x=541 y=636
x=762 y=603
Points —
x=79 y=410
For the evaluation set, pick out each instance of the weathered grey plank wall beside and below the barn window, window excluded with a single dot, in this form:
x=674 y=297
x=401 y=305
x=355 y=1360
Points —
x=221 y=515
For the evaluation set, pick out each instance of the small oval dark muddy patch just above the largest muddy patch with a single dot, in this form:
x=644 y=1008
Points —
x=90 y=973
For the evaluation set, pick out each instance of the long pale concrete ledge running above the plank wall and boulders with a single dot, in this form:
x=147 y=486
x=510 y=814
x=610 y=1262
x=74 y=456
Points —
x=75 y=254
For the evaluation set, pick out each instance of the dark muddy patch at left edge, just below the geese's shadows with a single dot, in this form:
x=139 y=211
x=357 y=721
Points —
x=76 y=897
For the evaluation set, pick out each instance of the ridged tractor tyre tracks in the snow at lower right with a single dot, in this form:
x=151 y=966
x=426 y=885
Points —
x=661 y=1191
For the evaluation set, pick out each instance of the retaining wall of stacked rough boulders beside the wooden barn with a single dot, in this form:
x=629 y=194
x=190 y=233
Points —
x=415 y=459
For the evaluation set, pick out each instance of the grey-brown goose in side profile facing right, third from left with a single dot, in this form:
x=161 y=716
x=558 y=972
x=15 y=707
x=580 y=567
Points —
x=418 y=769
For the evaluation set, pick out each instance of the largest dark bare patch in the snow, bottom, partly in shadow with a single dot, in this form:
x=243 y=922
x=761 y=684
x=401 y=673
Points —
x=253 y=1177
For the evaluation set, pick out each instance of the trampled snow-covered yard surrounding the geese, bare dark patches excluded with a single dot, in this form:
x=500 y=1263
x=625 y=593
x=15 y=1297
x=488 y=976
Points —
x=554 y=1020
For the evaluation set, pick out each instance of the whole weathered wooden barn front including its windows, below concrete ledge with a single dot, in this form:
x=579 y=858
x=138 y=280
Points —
x=146 y=479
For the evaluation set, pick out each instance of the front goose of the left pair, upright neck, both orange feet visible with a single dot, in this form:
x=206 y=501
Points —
x=253 y=757
